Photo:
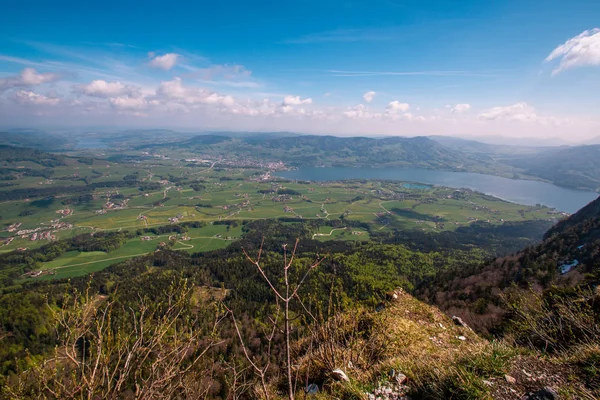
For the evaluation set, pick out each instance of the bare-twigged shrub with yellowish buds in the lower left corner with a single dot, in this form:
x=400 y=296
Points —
x=150 y=356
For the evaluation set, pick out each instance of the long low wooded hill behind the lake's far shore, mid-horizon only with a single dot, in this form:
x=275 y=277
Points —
x=312 y=150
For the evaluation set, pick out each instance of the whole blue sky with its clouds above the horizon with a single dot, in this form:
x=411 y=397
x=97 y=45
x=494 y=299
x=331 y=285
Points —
x=342 y=67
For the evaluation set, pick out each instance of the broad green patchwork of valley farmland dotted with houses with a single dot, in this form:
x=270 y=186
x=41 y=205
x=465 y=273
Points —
x=151 y=198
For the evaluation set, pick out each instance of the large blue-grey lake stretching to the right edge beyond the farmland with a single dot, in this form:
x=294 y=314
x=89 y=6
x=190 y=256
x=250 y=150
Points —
x=514 y=190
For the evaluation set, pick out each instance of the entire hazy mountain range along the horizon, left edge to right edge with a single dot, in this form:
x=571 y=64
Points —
x=569 y=166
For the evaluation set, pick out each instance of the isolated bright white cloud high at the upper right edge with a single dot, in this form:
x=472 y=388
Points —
x=581 y=50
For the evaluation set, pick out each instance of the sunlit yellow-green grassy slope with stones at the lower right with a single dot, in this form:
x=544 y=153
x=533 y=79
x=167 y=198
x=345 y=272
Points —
x=423 y=343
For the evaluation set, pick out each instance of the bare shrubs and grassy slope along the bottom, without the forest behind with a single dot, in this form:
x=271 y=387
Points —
x=184 y=343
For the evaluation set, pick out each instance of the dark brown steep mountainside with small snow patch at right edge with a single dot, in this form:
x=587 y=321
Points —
x=568 y=257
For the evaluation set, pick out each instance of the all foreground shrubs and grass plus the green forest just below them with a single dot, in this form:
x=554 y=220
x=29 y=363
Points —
x=214 y=326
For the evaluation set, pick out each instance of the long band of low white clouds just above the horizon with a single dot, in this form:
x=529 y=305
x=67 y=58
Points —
x=208 y=97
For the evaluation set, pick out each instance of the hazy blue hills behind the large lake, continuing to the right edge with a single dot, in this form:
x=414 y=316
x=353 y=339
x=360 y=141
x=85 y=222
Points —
x=573 y=167
